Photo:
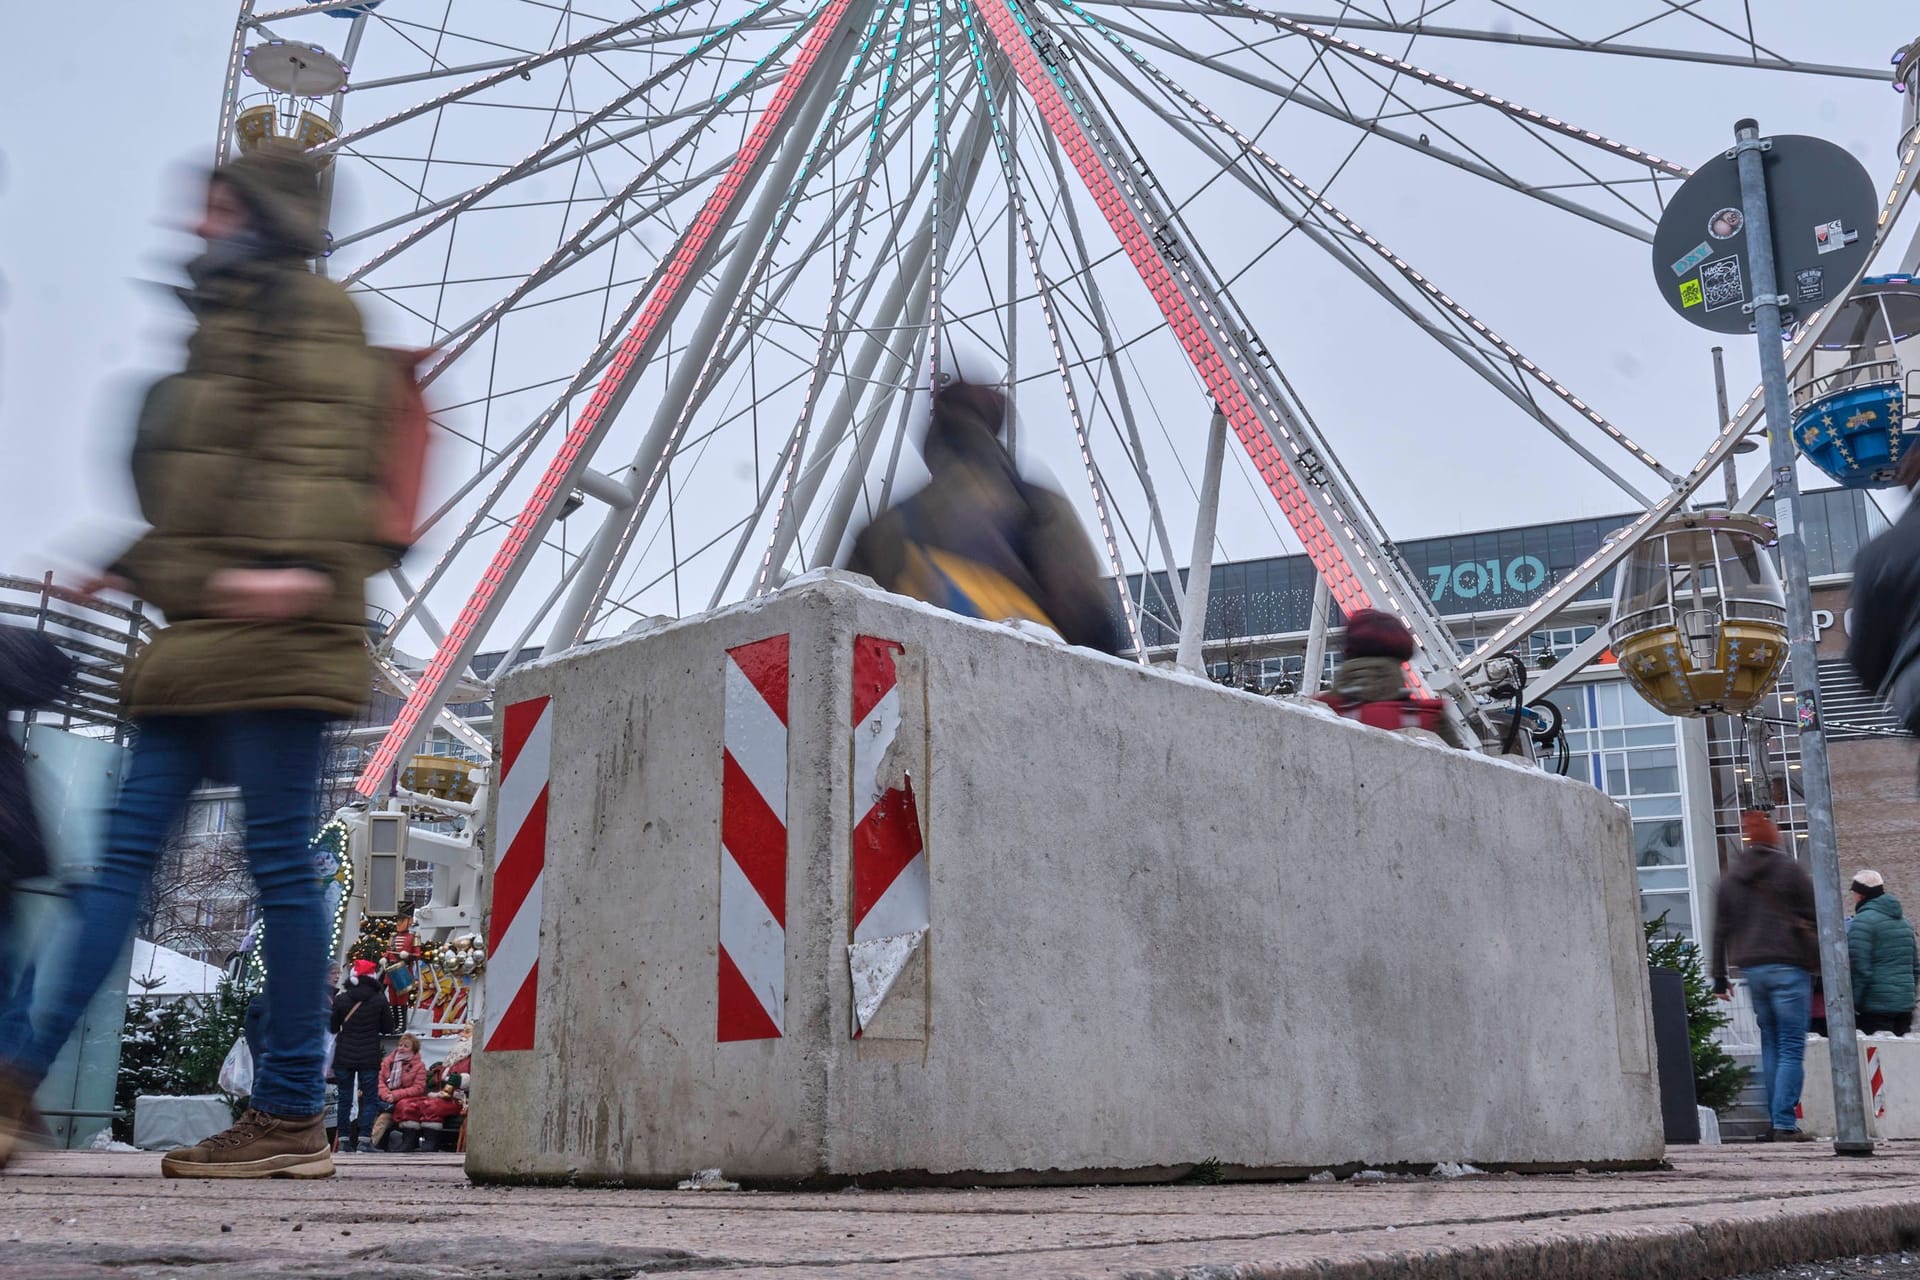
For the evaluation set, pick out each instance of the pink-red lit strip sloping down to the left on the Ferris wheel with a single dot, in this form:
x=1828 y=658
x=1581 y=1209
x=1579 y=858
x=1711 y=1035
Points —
x=665 y=295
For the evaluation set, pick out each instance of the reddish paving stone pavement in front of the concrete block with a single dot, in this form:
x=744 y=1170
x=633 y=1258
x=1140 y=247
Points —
x=1716 y=1214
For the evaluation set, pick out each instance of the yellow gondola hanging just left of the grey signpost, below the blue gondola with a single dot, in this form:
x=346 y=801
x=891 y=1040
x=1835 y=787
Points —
x=1700 y=623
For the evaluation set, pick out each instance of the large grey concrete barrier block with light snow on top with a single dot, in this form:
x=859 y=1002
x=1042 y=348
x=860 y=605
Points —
x=1170 y=924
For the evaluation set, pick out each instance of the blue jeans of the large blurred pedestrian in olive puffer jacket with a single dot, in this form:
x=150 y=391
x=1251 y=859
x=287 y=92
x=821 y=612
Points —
x=276 y=761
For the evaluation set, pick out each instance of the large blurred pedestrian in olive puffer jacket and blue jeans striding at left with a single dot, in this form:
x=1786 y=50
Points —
x=258 y=475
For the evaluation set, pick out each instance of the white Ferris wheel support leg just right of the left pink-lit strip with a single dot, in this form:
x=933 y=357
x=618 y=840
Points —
x=596 y=563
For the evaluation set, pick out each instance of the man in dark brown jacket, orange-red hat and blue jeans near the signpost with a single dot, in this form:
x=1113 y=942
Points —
x=1764 y=922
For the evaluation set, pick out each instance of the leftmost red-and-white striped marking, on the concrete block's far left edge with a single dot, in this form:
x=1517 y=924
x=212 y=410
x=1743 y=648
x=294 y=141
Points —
x=519 y=874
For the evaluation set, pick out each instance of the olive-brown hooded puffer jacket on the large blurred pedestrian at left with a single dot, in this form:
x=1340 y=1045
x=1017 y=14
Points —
x=262 y=454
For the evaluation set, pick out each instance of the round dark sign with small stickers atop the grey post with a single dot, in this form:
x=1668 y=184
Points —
x=1823 y=212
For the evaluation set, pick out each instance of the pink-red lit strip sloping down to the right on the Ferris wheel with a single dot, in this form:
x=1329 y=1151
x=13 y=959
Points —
x=1349 y=592
